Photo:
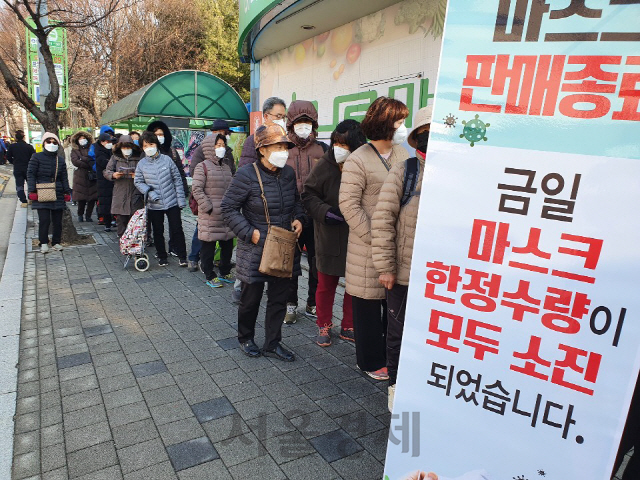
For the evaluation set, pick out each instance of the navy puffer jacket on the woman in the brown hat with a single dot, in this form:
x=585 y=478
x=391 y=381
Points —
x=243 y=211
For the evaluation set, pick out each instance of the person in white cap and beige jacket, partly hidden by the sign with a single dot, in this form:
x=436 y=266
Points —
x=392 y=235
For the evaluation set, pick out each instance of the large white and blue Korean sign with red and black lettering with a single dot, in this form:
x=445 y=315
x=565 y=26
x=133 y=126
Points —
x=521 y=341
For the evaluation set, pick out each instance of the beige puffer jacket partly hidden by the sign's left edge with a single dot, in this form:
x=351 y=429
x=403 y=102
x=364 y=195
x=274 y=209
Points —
x=394 y=227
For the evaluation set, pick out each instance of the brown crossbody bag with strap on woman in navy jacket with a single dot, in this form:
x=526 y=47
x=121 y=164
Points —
x=279 y=249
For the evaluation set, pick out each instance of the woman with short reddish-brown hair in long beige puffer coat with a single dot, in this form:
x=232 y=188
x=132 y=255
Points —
x=362 y=178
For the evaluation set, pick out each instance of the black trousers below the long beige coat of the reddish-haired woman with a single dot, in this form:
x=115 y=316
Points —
x=370 y=330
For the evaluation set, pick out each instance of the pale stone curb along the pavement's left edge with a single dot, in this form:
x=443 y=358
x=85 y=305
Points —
x=11 y=285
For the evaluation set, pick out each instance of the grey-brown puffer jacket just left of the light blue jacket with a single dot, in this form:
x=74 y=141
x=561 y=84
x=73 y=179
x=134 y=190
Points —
x=126 y=197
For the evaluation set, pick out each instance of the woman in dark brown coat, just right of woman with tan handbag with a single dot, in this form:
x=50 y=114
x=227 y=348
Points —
x=84 y=178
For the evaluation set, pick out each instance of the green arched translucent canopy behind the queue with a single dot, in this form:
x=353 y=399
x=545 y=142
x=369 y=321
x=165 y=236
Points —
x=196 y=96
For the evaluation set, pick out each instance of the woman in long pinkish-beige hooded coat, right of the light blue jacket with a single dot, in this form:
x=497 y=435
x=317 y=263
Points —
x=210 y=181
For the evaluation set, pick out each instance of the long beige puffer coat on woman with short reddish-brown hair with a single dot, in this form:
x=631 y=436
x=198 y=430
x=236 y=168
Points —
x=362 y=177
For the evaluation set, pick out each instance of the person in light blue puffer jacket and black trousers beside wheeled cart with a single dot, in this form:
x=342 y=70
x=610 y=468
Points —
x=158 y=177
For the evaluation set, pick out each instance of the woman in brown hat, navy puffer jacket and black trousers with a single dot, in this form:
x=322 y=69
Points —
x=244 y=212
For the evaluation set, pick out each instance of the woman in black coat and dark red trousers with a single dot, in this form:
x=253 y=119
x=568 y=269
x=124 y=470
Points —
x=320 y=198
